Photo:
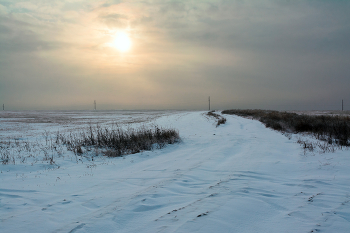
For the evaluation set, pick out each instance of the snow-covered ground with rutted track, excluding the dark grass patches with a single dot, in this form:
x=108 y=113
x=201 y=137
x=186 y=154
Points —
x=238 y=177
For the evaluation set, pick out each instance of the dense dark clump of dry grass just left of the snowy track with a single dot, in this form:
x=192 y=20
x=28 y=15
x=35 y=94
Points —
x=118 y=142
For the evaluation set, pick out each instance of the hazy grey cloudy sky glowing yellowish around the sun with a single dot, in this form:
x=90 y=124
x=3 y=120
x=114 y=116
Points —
x=274 y=54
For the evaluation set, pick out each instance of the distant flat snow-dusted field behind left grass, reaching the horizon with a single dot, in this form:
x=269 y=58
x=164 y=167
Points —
x=34 y=123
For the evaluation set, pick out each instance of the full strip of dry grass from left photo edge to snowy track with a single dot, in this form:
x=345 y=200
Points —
x=94 y=141
